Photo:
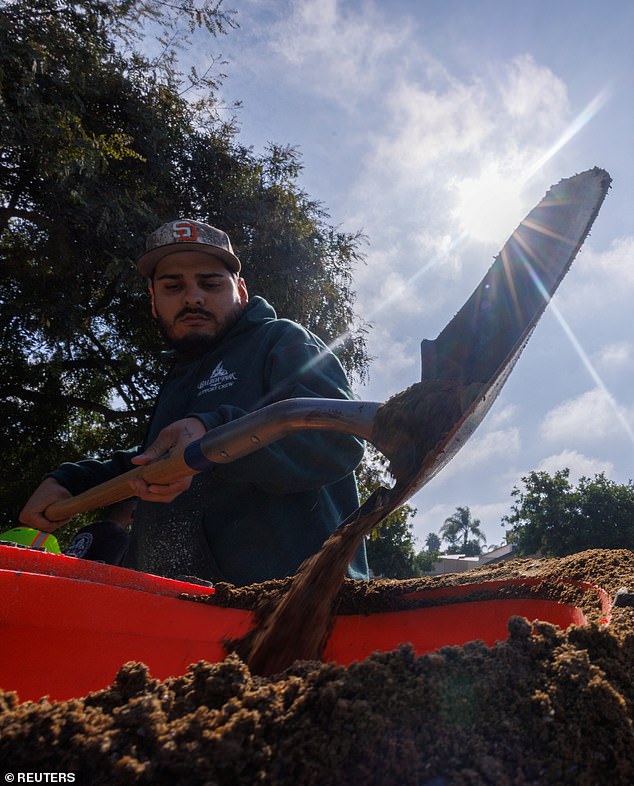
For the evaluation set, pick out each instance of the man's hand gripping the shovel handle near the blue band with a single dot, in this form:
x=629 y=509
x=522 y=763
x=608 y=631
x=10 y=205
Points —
x=174 y=437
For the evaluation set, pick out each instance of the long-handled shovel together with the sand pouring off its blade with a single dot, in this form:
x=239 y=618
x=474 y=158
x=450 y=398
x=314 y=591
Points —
x=418 y=430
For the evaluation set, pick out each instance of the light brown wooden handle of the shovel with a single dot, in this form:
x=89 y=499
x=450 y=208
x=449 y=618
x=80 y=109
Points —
x=166 y=470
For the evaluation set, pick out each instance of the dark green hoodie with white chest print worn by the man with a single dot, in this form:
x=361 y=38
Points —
x=259 y=517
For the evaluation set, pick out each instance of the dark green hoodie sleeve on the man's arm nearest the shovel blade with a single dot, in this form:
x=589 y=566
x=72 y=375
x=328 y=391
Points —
x=298 y=365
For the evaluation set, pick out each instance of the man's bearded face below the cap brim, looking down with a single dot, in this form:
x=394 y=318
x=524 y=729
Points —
x=195 y=299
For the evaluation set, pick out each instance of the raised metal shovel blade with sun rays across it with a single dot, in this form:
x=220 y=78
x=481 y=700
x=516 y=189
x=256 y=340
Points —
x=480 y=345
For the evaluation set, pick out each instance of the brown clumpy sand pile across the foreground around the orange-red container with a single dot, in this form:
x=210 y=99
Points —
x=544 y=707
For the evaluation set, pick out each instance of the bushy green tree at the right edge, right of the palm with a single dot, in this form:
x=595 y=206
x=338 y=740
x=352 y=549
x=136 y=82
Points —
x=552 y=517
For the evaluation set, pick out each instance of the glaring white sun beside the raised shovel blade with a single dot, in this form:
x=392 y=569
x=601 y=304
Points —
x=489 y=207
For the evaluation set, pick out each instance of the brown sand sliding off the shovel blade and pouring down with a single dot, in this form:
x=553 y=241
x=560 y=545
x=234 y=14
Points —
x=412 y=430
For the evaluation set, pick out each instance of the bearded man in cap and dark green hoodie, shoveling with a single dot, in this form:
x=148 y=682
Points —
x=259 y=517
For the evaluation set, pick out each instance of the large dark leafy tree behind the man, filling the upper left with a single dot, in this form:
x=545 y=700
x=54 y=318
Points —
x=99 y=144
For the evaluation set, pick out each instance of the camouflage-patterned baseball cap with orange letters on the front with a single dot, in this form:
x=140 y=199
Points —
x=185 y=234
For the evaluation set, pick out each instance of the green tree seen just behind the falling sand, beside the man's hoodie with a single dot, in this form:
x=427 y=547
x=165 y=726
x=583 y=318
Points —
x=390 y=547
